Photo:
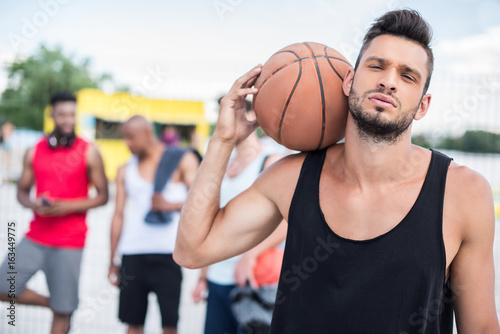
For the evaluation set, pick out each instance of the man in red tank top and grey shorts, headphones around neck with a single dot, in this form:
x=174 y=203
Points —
x=61 y=166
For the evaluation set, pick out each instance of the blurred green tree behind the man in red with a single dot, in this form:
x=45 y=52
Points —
x=33 y=80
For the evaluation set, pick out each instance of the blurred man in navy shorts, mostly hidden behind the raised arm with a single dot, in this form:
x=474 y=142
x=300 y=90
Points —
x=222 y=277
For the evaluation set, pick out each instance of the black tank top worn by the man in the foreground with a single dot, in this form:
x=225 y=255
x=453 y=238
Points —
x=394 y=283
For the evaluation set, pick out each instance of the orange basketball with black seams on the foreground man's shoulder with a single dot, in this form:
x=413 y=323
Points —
x=300 y=102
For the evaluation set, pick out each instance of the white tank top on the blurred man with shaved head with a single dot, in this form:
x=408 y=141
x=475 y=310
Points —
x=138 y=236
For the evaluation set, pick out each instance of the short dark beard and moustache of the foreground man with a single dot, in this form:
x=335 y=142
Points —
x=374 y=128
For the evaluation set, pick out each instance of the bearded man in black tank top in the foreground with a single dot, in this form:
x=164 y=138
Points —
x=383 y=236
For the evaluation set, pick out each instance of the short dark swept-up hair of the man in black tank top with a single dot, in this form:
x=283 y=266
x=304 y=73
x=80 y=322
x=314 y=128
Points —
x=407 y=24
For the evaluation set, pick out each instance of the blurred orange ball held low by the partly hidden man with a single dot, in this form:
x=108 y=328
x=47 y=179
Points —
x=268 y=267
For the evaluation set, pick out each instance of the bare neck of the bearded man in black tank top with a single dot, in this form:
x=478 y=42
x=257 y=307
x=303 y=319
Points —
x=368 y=163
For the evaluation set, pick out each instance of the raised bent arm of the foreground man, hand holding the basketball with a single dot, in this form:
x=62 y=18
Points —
x=208 y=233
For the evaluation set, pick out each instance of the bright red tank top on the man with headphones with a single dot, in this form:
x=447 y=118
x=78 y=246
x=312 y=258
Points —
x=60 y=174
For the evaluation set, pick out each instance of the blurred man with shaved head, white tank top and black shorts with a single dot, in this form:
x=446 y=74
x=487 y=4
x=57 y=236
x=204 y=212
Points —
x=146 y=248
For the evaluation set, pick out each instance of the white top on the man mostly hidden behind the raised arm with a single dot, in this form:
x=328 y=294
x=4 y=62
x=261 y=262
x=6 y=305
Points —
x=222 y=273
